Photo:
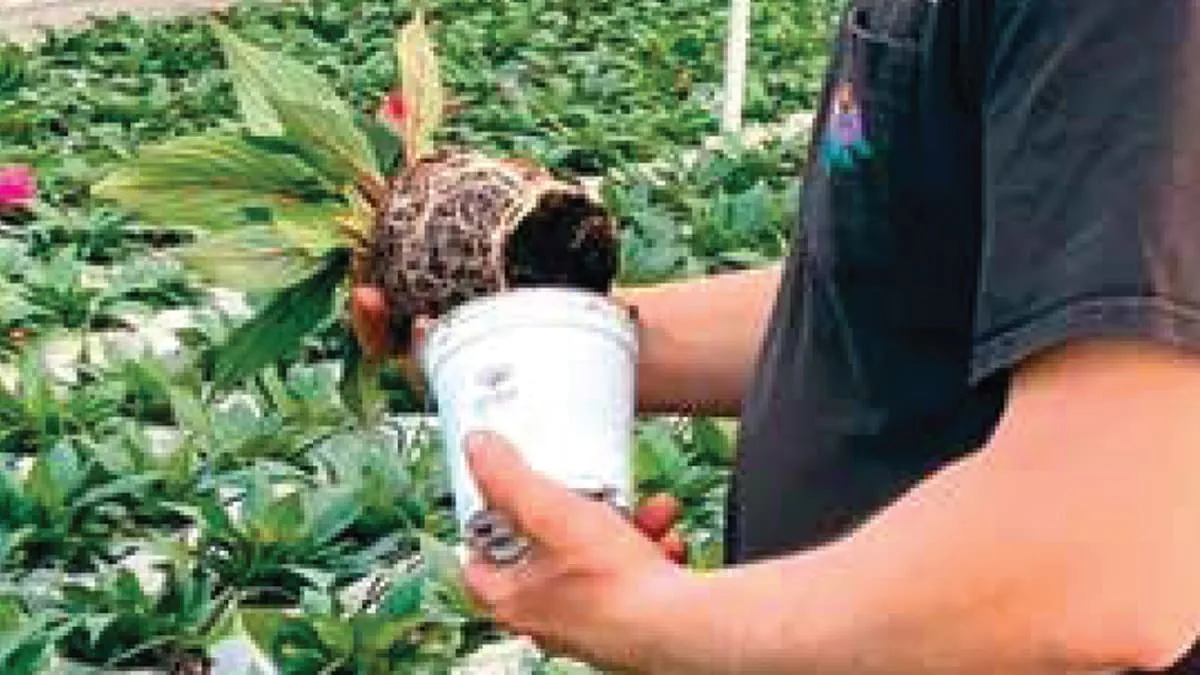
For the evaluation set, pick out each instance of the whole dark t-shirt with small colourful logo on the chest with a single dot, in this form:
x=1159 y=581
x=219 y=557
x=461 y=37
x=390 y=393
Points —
x=988 y=178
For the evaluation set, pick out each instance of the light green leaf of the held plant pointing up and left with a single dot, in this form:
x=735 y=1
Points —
x=280 y=97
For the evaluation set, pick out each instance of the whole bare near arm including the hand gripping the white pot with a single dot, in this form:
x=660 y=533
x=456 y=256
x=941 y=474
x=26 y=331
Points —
x=1067 y=545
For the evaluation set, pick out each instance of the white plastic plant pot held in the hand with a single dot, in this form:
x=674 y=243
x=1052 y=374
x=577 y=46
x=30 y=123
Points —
x=551 y=371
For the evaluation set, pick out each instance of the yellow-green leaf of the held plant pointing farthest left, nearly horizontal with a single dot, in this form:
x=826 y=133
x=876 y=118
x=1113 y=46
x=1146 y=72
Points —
x=220 y=182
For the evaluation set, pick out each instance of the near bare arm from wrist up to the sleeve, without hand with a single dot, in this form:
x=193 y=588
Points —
x=1069 y=546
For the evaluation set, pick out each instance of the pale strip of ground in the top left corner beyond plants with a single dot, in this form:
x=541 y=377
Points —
x=22 y=20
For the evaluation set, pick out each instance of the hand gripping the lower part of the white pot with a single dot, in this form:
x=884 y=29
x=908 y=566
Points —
x=593 y=587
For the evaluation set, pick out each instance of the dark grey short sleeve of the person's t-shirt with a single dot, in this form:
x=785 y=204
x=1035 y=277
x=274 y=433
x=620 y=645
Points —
x=1091 y=177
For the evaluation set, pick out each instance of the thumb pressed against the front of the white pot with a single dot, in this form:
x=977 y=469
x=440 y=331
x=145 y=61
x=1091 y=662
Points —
x=541 y=509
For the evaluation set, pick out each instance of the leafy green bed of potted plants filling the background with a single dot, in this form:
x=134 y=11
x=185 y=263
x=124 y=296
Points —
x=145 y=519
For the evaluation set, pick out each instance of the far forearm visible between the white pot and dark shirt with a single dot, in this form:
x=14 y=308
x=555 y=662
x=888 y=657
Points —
x=700 y=341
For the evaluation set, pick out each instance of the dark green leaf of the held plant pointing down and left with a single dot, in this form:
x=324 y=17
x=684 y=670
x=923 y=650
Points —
x=281 y=327
